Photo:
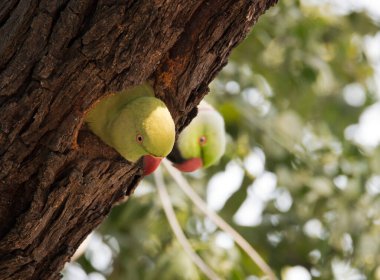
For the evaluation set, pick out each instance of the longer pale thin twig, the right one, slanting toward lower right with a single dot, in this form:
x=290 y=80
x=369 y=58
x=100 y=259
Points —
x=252 y=253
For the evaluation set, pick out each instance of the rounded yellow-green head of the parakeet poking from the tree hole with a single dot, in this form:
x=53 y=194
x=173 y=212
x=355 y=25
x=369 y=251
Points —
x=144 y=127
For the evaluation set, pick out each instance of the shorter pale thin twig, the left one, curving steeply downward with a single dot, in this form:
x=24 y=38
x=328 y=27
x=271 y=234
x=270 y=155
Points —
x=173 y=222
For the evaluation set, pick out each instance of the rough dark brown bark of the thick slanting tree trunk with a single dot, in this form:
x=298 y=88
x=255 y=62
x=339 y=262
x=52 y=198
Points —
x=57 y=180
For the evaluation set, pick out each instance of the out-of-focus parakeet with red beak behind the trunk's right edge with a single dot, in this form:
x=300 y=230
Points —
x=202 y=143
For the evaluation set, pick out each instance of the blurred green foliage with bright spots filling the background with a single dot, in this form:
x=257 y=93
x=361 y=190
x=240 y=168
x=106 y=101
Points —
x=282 y=97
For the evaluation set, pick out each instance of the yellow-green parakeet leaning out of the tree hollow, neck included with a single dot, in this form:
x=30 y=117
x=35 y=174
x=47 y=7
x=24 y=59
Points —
x=135 y=123
